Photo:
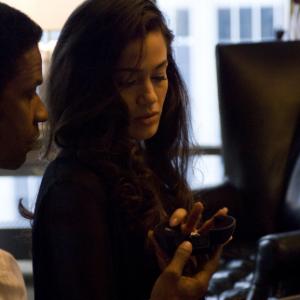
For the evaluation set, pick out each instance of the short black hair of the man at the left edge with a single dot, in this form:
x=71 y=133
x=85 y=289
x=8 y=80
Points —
x=18 y=33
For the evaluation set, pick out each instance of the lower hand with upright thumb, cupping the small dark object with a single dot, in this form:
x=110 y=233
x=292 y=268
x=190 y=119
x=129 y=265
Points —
x=172 y=285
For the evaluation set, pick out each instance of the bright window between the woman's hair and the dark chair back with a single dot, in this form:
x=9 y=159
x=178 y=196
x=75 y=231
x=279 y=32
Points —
x=198 y=26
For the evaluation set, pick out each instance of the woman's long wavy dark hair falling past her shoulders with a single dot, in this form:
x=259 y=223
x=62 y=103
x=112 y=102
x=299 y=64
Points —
x=86 y=113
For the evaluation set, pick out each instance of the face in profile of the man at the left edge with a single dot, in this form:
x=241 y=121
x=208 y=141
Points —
x=21 y=109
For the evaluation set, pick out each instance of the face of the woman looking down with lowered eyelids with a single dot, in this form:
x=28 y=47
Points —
x=143 y=83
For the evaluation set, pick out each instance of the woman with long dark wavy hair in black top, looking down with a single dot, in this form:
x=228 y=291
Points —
x=118 y=116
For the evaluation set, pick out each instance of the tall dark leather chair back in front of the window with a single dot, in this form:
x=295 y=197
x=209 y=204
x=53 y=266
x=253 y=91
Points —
x=259 y=101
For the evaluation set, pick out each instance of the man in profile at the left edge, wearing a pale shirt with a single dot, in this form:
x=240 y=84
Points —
x=21 y=110
